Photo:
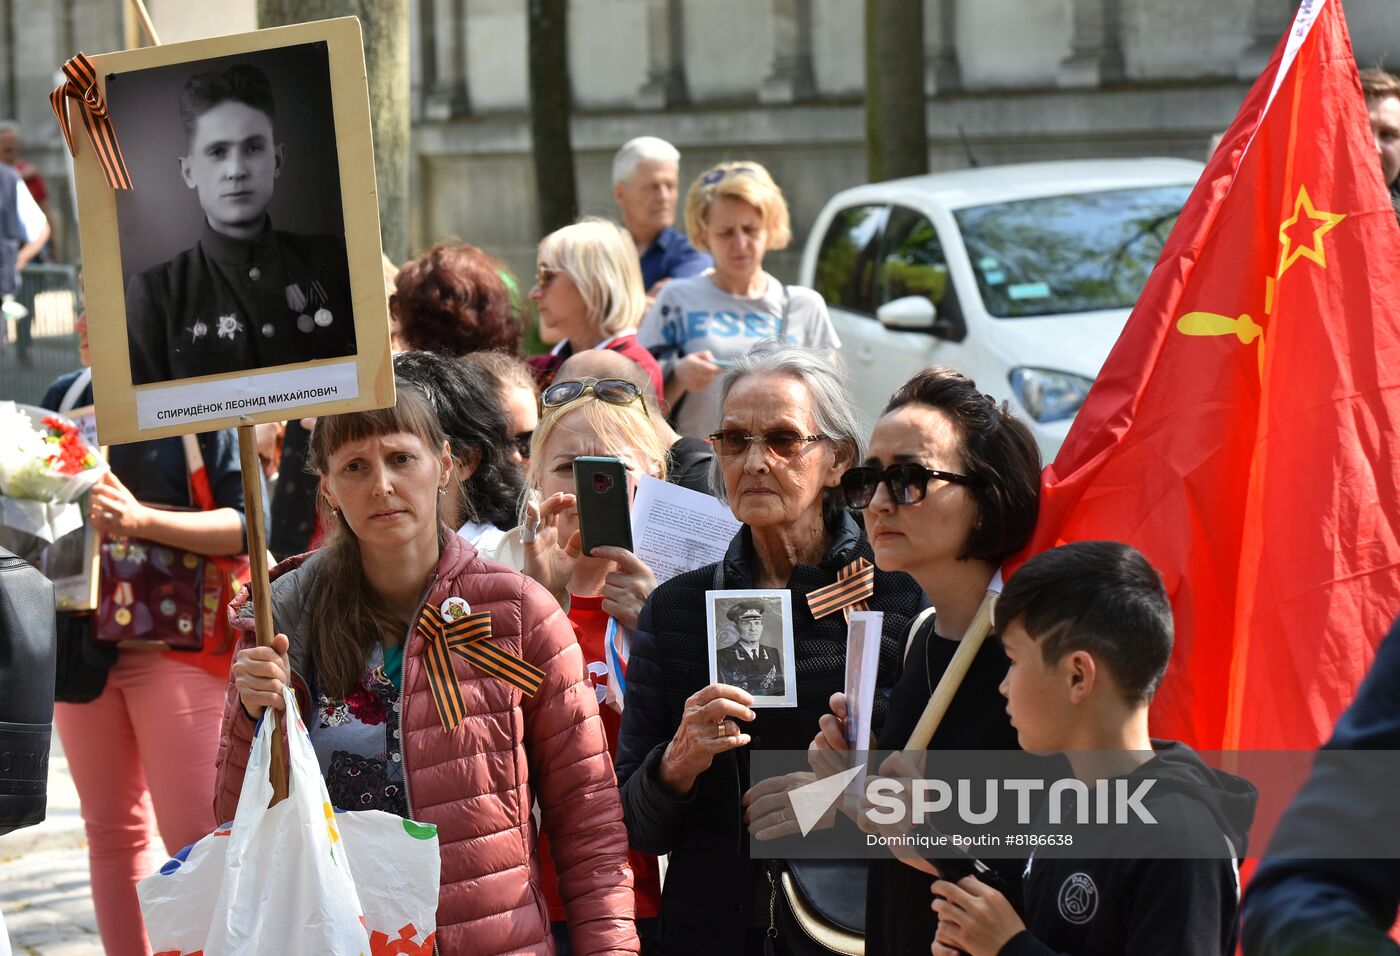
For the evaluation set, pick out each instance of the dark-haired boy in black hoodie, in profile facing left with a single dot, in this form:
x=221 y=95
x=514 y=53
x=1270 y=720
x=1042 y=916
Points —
x=1088 y=632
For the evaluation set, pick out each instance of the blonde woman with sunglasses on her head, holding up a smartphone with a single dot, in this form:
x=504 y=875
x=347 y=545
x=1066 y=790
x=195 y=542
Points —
x=600 y=418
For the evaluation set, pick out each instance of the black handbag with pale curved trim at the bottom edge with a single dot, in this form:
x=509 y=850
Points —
x=817 y=908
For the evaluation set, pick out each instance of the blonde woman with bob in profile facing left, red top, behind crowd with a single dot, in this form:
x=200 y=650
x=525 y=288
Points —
x=589 y=296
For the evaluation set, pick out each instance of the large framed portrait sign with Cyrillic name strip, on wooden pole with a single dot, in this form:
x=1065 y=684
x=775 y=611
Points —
x=240 y=281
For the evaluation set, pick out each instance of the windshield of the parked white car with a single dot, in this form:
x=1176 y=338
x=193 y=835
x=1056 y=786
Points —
x=1069 y=254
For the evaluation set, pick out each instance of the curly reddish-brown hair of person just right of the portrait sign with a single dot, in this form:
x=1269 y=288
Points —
x=454 y=300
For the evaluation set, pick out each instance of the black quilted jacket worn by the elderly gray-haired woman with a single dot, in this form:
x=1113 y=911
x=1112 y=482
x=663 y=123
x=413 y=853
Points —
x=712 y=883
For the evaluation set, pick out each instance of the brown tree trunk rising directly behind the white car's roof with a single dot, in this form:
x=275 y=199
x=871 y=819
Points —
x=897 y=132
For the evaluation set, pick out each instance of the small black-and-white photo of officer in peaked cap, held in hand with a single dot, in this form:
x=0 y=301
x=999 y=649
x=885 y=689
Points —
x=751 y=645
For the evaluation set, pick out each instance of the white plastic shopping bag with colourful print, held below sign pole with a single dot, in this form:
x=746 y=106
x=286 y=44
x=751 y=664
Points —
x=285 y=880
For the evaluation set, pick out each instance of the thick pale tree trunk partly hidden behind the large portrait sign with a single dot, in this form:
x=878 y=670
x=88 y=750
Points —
x=386 y=27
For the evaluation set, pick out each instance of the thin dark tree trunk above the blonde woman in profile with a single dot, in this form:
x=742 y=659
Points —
x=551 y=101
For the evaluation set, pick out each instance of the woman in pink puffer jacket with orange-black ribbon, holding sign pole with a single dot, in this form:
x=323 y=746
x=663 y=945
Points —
x=355 y=622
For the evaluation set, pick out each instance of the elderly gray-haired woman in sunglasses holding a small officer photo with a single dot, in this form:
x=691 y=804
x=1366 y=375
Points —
x=786 y=437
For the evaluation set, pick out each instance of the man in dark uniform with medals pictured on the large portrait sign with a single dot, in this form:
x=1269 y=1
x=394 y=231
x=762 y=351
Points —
x=246 y=296
